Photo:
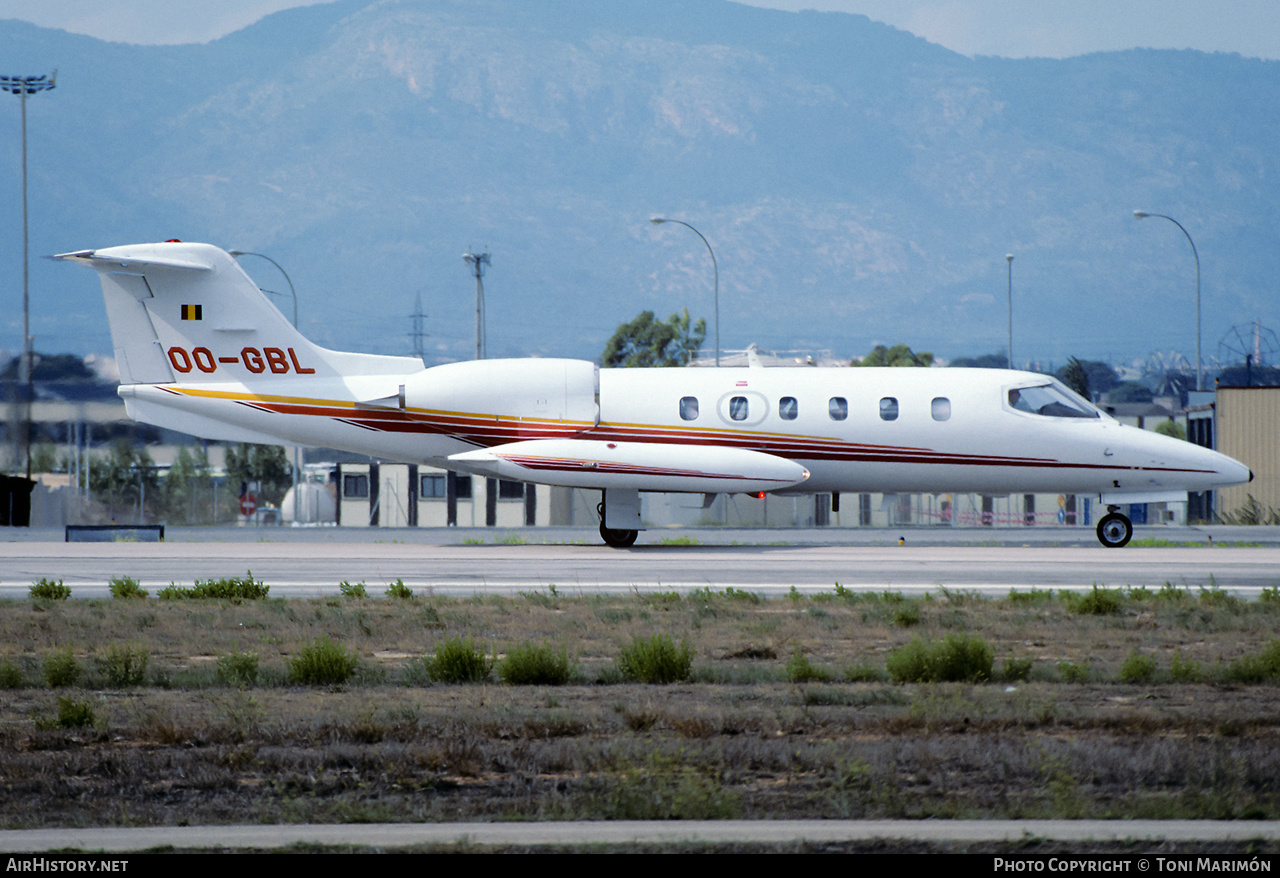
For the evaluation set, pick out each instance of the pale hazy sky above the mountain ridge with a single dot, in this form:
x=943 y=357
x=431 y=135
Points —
x=1013 y=29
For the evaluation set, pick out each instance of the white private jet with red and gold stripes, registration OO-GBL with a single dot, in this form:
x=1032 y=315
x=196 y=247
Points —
x=203 y=351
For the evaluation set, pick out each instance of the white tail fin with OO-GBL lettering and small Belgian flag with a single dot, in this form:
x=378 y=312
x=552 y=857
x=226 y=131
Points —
x=188 y=313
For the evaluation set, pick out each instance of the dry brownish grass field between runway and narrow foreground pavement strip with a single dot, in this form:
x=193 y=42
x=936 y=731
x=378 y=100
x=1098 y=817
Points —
x=739 y=740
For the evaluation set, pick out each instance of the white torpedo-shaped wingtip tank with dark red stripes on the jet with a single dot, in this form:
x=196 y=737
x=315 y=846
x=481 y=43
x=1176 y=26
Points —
x=633 y=465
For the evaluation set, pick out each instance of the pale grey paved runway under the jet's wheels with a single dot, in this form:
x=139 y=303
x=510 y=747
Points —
x=299 y=564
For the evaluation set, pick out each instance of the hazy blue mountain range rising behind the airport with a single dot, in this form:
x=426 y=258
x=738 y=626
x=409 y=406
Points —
x=858 y=185
